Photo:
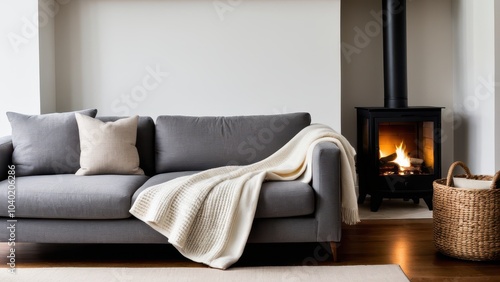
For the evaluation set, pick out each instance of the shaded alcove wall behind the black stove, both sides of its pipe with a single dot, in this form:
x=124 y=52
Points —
x=429 y=57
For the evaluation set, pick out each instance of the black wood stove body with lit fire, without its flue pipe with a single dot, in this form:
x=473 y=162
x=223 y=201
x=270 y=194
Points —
x=399 y=153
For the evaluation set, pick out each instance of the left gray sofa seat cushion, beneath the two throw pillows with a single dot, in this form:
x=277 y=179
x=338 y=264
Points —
x=68 y=196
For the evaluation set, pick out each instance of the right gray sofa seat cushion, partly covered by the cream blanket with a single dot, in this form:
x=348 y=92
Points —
x=276 y=199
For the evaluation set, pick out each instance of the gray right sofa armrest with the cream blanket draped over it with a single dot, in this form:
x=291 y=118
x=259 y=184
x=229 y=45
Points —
x=327 y=187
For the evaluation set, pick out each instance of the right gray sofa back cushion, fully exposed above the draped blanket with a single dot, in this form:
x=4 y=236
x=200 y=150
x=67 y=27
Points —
x=198 y=143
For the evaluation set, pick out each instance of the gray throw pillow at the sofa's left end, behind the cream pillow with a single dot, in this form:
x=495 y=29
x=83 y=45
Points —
x=46 y=144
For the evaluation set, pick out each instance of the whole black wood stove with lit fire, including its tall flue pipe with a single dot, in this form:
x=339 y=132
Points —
x=398 y=147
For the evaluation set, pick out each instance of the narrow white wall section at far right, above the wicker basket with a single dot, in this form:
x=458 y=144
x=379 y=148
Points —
x=474 y=84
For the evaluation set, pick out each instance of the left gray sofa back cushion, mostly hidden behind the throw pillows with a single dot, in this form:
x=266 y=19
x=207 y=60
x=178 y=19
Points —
x=145 y=142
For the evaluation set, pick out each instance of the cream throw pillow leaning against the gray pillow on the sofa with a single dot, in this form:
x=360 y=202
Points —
x=108 y=148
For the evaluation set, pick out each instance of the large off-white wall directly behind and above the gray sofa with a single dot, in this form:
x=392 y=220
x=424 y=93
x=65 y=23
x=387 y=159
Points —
x=258 y=57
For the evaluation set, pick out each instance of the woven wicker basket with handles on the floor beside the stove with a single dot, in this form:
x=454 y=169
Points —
x=467 y=221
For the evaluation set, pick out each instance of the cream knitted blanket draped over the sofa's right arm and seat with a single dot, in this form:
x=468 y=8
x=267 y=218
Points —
x=208 y=216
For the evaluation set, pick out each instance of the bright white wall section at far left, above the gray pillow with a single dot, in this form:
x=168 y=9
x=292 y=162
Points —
x=19 y=60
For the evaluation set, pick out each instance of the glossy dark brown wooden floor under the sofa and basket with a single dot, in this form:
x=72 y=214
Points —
x=404 y=242
